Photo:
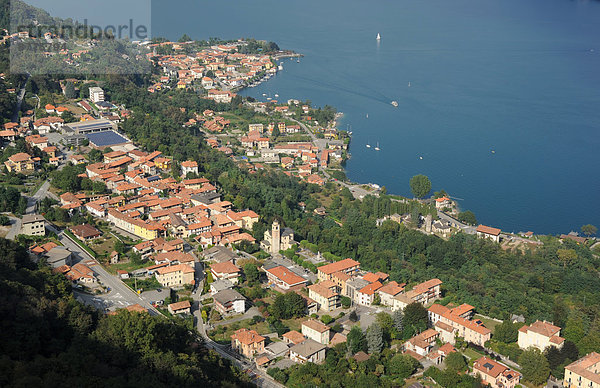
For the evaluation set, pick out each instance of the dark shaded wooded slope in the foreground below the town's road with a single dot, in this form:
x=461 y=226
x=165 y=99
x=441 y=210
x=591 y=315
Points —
x=50 y=339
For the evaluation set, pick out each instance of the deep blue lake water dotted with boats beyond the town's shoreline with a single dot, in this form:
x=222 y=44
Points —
x=518 y=77
